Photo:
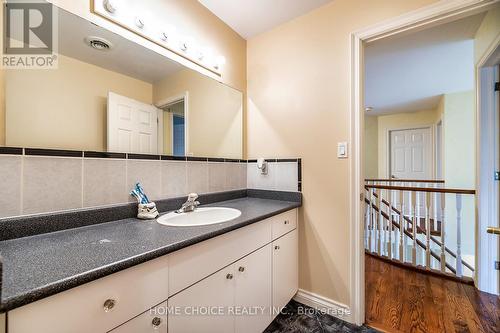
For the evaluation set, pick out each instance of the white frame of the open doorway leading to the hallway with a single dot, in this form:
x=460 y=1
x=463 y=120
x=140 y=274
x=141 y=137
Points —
x=428 y=16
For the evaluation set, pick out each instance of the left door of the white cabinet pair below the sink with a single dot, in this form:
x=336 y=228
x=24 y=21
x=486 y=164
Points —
x=204 y=306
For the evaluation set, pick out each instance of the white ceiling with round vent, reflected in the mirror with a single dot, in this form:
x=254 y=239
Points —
x=125 y=57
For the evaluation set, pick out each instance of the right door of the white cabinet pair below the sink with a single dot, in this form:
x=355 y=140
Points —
x=253 y=292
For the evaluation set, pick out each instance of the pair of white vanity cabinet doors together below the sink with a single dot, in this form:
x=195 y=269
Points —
x=236 y=298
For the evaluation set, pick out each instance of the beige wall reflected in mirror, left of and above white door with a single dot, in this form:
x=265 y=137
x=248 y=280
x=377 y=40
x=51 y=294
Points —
x=64 y=108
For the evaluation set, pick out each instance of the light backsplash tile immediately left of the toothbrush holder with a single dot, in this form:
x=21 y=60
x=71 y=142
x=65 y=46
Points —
x=104 y=182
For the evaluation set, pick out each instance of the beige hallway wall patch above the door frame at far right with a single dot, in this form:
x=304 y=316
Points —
x=487 y=33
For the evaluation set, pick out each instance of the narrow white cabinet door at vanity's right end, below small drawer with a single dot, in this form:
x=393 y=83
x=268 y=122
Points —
x=285 y=269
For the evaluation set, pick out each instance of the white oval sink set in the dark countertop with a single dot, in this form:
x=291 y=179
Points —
x=201 y=216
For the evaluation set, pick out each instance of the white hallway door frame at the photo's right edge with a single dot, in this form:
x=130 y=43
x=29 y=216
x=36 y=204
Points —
x=487 y=198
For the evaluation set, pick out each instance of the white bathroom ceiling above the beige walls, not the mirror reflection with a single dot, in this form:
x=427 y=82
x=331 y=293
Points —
x=252 y=17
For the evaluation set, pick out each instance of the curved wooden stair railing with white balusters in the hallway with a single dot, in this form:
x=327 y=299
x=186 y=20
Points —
x=380 y=223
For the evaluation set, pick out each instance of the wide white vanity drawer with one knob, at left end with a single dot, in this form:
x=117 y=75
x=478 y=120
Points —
x=98 y=306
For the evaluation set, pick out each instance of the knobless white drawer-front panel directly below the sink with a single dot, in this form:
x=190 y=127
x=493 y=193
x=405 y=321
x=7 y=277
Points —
x=192 y=264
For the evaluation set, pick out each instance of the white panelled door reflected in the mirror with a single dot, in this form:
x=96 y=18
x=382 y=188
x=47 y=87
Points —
x=132 y=126
